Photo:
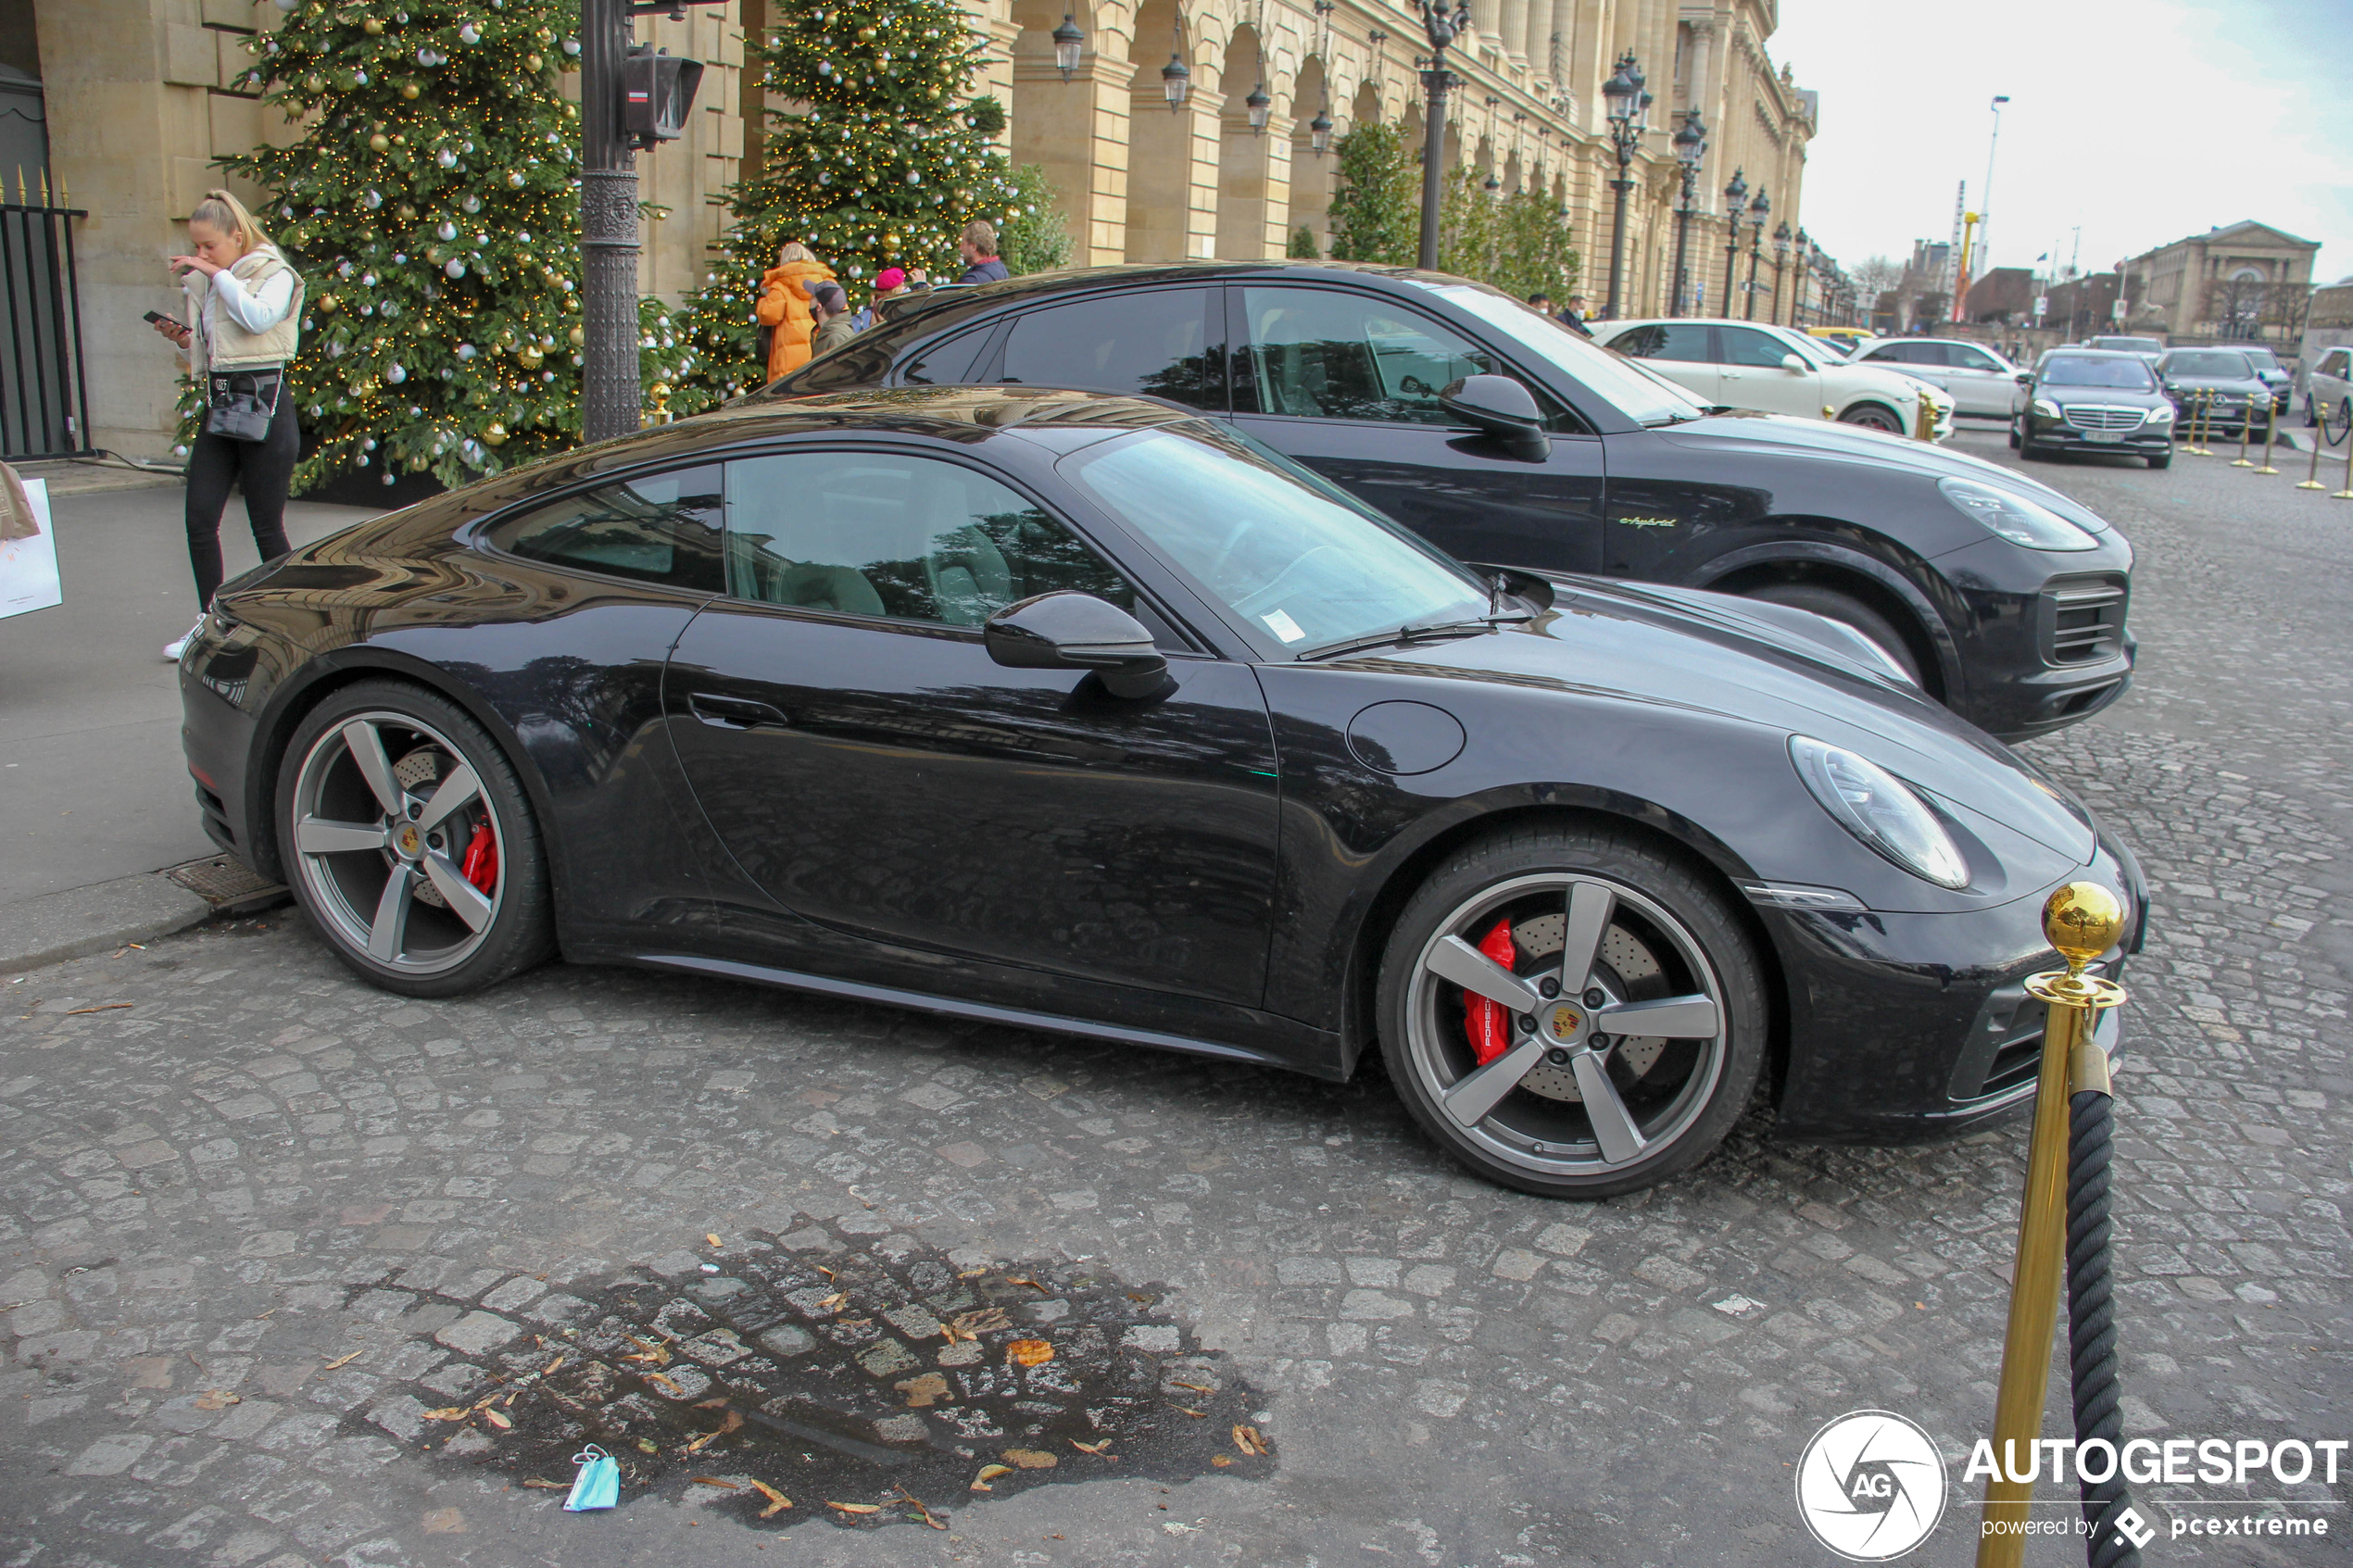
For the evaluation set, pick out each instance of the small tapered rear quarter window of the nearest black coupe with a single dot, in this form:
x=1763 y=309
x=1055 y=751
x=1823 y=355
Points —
x=651 y=530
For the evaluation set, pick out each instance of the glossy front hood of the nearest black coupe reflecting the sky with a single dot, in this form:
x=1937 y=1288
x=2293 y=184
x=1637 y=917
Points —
x=1705 y=652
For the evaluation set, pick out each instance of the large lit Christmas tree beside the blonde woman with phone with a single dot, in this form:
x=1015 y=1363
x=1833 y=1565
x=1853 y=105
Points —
x=432 y=206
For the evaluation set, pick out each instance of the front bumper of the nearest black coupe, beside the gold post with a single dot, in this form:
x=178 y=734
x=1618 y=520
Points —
x=1919 y=1026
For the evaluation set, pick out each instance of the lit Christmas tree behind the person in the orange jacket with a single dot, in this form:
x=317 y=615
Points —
x=884 y=168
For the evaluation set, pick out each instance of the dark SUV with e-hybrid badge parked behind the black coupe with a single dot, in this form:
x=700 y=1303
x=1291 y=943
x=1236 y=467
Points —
x=2001 y=596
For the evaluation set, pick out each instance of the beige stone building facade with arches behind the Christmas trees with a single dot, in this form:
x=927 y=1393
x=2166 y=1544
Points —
x=140 y=98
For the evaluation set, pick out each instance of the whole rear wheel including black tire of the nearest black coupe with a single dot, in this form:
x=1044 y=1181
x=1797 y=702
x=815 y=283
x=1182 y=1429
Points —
x=387 y=744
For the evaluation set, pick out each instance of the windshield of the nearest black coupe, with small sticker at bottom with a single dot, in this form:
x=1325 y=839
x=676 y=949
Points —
x=1267 y=542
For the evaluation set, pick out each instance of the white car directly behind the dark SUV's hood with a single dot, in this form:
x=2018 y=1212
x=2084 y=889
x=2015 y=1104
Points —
x=1749 y=366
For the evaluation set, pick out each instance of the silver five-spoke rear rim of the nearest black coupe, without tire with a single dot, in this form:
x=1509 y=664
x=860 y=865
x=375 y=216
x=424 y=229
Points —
x=396 y=843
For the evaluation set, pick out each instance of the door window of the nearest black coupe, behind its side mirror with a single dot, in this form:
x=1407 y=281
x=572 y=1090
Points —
x=902 y=537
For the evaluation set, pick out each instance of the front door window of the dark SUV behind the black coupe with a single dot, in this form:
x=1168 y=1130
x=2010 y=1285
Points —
x=1324 y=354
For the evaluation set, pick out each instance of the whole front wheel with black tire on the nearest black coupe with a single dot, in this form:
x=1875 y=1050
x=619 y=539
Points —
x=1665 y=937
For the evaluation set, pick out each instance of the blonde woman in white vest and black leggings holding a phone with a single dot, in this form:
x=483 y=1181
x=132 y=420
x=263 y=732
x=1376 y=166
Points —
x=244 y=304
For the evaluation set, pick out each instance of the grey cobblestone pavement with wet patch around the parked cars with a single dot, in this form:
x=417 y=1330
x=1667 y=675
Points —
x=361 y=1217
